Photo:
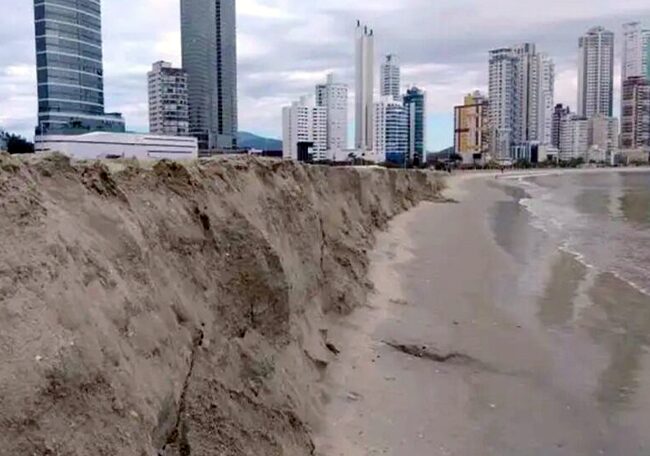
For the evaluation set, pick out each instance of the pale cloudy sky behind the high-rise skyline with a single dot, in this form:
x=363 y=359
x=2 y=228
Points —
x=285 y=47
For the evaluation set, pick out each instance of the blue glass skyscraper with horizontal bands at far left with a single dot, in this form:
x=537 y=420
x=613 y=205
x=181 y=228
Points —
x=70 y=72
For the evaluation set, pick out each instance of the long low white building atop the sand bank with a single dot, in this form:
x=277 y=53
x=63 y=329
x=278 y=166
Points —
x=97 y=145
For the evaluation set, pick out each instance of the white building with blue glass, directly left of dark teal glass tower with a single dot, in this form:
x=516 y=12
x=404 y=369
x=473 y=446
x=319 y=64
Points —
x=391 y=130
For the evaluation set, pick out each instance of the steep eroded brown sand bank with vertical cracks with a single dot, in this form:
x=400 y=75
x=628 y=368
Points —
x=178 y=310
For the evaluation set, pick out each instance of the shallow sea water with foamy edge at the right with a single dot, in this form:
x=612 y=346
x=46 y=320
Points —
x=602 y=218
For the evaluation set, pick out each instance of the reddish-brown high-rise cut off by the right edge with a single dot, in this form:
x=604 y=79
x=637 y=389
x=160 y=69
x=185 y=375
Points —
x=635 y=116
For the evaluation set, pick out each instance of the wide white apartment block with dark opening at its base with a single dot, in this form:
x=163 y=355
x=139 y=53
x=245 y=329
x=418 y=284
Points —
x=304 y=131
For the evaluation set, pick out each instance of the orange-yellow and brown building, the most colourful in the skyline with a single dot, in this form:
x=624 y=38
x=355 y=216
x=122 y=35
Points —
x=471 y=132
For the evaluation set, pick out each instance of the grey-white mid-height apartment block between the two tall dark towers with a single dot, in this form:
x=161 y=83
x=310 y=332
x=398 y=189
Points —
x=168 y=105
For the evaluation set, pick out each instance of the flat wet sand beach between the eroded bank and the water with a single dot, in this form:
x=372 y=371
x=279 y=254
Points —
x=505 y=344
